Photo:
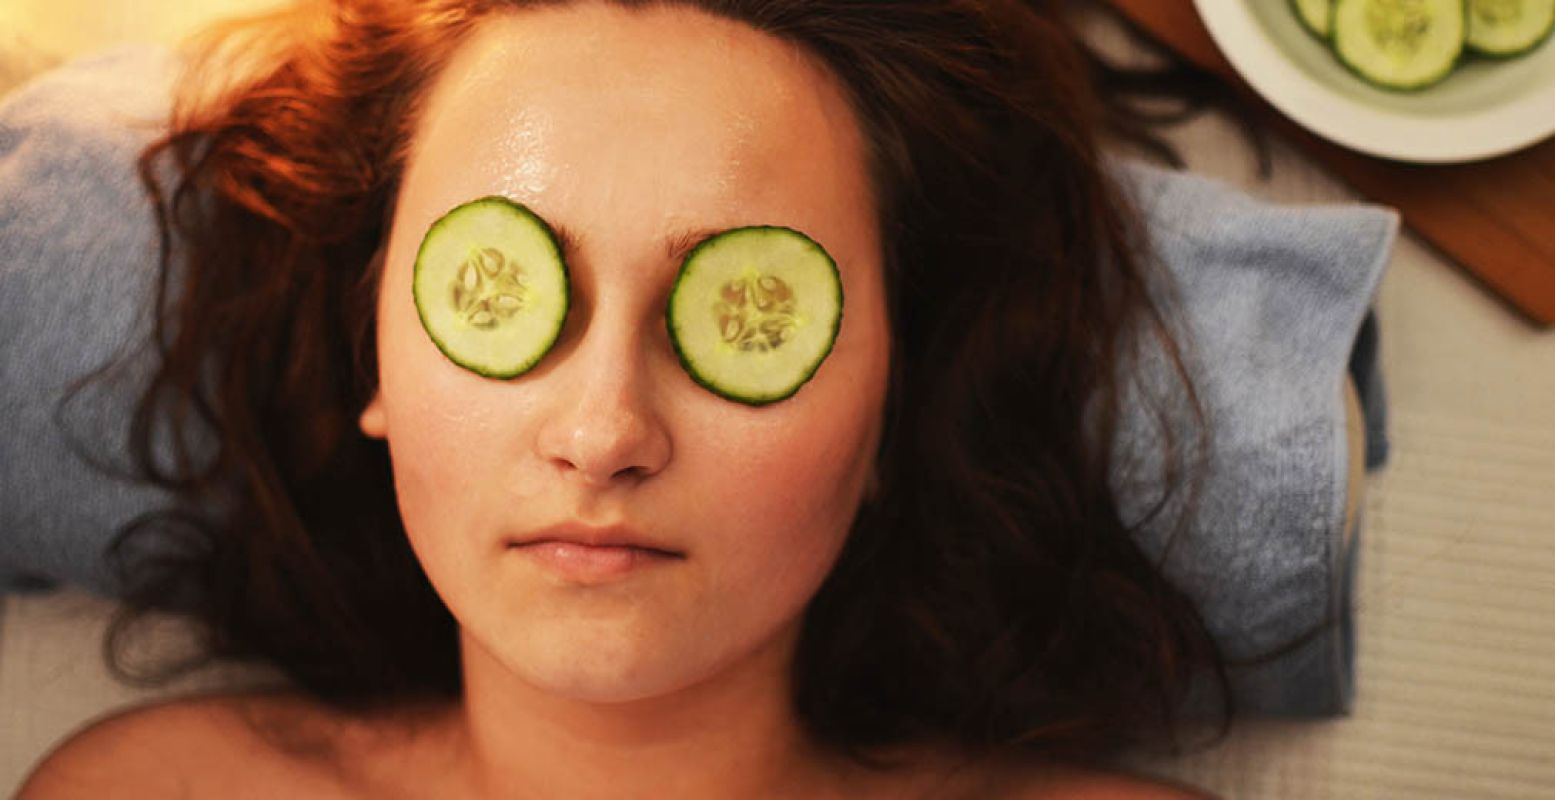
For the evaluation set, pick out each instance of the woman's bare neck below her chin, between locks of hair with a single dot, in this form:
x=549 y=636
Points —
x=733 y=735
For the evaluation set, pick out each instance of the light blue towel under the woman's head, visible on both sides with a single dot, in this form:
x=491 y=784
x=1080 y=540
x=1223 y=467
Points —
x=1274 y=298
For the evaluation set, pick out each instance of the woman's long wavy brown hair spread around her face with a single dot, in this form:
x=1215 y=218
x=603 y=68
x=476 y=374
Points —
x=990 y=594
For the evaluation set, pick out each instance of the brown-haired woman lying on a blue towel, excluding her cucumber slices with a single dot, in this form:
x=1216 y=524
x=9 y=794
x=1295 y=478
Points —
x=909 y=580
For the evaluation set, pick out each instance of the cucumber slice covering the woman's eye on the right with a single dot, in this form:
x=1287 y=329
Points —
x=755 y=312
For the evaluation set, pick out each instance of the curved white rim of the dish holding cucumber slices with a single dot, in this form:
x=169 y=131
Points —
x=1257 y=60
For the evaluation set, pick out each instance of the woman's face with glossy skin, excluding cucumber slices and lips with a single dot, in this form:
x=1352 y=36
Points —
x=629 y=128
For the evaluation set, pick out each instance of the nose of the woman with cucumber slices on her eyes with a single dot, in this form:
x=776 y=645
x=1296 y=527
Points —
x=604 y=427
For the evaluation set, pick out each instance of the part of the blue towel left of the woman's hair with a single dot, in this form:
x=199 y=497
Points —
x=77 y=276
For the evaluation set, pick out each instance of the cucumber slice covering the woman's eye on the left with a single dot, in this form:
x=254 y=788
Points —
x=491 y=287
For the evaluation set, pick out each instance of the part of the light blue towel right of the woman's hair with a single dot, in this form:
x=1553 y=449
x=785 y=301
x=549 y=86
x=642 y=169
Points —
x=1274 y=300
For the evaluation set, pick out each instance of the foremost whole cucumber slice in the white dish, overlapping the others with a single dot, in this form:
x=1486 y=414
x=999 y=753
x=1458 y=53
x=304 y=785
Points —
x=1400 y=44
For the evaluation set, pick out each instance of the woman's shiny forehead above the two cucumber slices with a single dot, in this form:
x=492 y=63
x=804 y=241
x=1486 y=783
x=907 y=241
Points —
x=641 y=121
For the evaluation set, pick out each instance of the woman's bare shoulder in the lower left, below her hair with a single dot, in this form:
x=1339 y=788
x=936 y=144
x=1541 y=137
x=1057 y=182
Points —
x=176 y=748
